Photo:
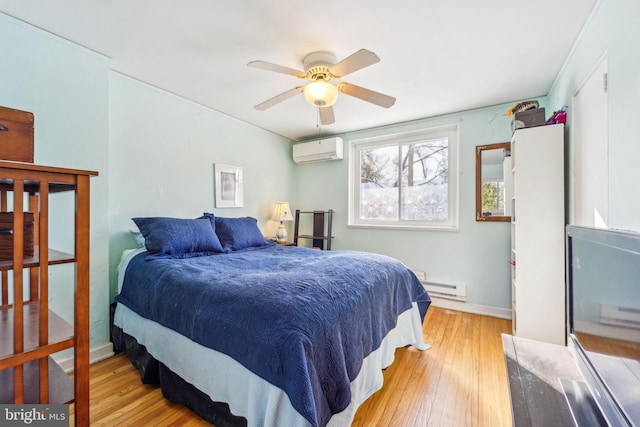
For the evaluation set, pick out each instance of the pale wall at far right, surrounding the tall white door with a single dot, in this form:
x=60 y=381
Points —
x=613 y=28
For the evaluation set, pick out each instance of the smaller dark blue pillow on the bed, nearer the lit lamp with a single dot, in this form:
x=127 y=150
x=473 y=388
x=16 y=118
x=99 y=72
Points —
x=239 y=233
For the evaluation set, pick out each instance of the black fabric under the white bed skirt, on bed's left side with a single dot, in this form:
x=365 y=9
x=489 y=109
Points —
x=173 y=387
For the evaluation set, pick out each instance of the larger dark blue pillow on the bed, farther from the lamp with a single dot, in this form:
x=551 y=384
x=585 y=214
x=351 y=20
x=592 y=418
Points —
x=178 y=238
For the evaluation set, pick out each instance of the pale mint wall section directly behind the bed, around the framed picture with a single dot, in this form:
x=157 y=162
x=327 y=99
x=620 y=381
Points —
x=162 y=149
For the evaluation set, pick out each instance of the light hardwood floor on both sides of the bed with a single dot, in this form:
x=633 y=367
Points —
x=460 y=381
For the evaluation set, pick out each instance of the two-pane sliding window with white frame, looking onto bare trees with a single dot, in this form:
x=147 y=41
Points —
x=406 y=180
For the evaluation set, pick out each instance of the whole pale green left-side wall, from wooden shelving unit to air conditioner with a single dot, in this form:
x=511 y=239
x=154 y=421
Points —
x=154 y=151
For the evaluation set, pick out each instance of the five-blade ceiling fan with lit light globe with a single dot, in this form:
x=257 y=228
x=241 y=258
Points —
x=320 y=69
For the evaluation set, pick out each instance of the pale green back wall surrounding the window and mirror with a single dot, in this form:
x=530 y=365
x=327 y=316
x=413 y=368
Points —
x=477 y=255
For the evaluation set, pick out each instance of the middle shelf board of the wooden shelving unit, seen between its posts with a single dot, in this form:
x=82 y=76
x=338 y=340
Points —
x=60 y=332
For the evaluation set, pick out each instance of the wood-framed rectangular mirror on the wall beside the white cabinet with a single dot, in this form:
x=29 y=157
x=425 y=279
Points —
x=493 y=182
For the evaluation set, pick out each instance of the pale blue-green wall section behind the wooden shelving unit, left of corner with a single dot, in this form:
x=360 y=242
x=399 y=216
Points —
x=67 y=89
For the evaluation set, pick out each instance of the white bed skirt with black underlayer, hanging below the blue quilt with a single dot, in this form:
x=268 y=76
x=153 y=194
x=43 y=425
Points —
x=155 y=349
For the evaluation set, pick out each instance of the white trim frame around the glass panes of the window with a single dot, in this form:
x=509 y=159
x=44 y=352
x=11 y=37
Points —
x=452 y=132
